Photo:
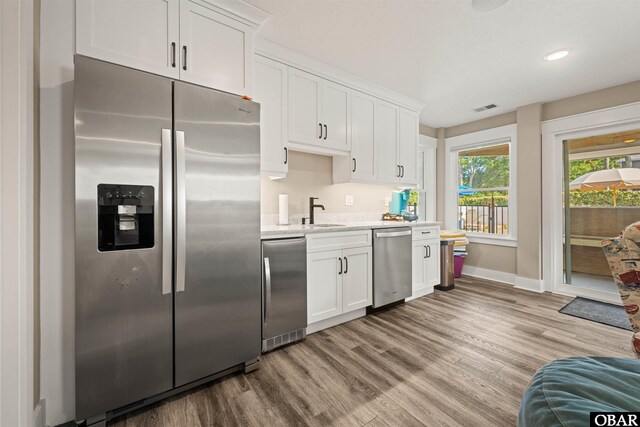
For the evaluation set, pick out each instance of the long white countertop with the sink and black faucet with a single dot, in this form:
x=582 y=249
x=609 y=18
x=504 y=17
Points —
x=274 y=231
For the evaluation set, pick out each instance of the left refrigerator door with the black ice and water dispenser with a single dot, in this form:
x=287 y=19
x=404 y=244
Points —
x=123 y=317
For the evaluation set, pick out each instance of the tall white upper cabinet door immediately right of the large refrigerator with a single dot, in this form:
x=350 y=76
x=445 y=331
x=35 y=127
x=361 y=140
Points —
x=270 y=90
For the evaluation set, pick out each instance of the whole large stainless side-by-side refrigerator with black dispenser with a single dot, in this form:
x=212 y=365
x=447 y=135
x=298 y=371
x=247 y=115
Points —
x=168 y=271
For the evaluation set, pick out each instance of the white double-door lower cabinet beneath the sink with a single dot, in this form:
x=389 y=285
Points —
x=339 y=281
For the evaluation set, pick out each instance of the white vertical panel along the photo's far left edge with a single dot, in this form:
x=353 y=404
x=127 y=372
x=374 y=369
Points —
x=16 y=212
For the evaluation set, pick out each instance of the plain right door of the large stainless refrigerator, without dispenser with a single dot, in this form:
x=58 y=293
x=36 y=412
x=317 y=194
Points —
x=217 y=312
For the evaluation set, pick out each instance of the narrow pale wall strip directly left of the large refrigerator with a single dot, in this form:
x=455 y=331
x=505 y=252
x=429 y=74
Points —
x=57 y=210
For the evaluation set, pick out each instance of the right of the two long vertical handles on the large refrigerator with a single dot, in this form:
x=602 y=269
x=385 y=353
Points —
x=181 y=210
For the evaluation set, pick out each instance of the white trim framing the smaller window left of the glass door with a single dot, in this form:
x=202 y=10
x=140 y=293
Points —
x=503 y=134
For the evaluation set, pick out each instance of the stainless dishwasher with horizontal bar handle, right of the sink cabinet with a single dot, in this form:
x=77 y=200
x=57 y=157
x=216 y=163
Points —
x=391 y=265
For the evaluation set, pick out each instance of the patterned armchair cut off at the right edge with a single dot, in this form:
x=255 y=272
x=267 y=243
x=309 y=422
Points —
x=623 y=255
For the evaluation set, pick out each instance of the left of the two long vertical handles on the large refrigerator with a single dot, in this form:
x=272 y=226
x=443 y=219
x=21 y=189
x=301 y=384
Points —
x=167 y=213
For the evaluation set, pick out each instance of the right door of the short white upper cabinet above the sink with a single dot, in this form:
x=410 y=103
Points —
x=334 y=113
